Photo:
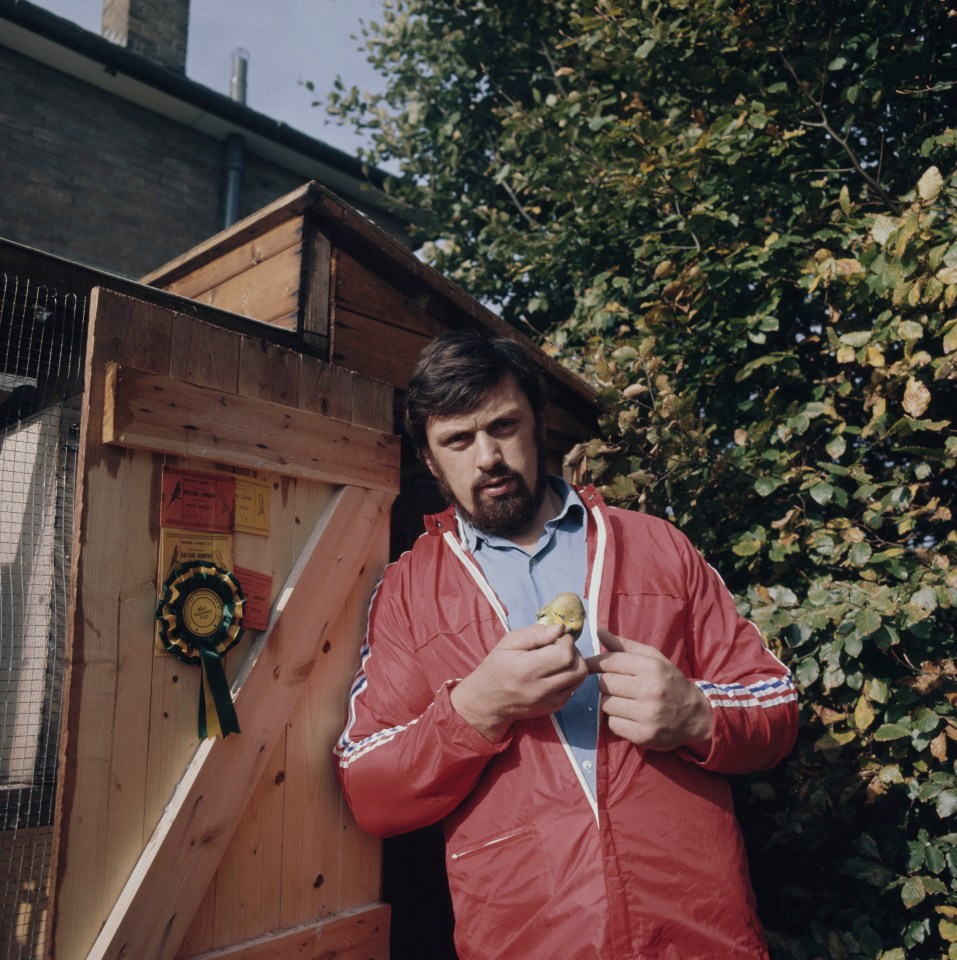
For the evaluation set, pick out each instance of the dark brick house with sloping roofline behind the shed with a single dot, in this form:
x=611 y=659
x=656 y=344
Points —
x=111 y=156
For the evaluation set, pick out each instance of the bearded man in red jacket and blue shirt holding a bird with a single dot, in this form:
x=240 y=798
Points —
x=581 y=787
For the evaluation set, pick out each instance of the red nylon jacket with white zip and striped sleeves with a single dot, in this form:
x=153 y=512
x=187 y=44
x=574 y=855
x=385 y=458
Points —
x=654 y=868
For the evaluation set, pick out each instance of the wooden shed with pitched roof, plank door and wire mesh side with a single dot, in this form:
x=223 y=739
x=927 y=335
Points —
x=235 y=413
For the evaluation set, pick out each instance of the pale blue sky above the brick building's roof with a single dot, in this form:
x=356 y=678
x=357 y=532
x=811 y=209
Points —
x=288 y=41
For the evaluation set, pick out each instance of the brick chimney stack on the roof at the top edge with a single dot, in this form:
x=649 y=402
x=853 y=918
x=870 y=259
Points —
x=156 y=29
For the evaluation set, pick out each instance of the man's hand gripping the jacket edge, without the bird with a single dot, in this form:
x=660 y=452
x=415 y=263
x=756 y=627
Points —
x=647 y=699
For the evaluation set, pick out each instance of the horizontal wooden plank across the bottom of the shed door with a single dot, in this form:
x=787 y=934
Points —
x=361 y=934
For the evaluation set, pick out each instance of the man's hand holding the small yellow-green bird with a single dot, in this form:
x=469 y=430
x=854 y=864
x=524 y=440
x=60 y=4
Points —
x=530 y=673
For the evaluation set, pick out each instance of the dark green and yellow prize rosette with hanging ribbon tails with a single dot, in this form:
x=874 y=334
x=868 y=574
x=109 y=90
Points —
x=200 y=616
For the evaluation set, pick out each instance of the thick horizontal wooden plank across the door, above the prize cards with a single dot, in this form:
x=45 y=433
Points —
x=163 y=414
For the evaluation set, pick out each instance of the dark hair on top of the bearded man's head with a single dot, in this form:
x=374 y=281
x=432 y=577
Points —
x=457 y=370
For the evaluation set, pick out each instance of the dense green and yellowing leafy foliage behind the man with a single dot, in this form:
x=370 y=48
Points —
x=739 y=219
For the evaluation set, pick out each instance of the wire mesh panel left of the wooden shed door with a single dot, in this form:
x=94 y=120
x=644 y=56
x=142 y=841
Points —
x=41 y=338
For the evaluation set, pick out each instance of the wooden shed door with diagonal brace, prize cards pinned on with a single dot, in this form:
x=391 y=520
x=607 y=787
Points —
x=169 y=845
